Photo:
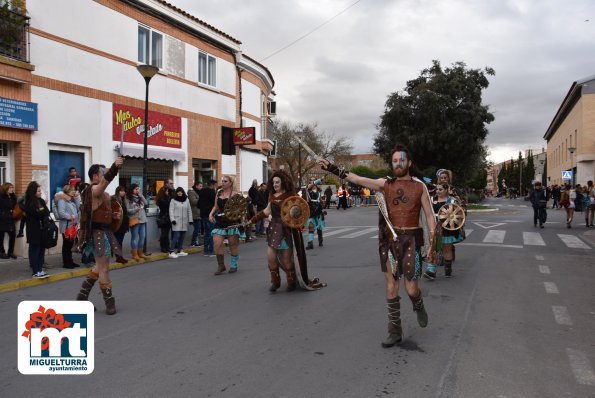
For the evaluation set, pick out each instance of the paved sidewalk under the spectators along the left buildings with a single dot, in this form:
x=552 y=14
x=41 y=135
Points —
x=16 y=274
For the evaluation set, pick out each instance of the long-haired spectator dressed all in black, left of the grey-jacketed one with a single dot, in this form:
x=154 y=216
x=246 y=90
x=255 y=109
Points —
x=37 y=211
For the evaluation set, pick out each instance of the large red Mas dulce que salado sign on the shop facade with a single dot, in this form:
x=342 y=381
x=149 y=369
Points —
x=129 y=125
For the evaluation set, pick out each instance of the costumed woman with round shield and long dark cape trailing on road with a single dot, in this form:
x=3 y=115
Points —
x=281 y=238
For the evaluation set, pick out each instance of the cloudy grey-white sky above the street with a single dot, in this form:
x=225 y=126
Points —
x=341 y=73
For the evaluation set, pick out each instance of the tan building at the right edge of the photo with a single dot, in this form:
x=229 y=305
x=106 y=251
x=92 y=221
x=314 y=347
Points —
x=571 y=136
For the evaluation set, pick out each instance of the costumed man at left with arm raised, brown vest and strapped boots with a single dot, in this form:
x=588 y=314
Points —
x=96 y=236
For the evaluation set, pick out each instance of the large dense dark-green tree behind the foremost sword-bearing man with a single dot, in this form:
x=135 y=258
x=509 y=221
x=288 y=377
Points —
x=441 y=119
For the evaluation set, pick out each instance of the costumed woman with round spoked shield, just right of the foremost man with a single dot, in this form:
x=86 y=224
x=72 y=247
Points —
x=447 y=238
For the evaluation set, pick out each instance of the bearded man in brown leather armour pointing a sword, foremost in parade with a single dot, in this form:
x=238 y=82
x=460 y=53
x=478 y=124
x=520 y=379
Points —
x=401 y=242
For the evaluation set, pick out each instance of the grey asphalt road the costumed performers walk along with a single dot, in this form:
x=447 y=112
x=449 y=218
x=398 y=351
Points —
x=516 y=320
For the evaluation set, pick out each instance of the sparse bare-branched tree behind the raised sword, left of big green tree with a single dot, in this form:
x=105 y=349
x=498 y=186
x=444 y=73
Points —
x=293 y=157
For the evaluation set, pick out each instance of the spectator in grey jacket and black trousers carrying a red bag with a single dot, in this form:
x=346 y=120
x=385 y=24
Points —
x=67 y=208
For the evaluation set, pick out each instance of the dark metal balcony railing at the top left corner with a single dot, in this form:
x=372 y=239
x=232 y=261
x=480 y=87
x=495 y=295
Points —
x=14 y=34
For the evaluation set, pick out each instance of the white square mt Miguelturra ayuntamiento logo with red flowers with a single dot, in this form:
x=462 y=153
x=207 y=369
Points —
x=56 y=337
